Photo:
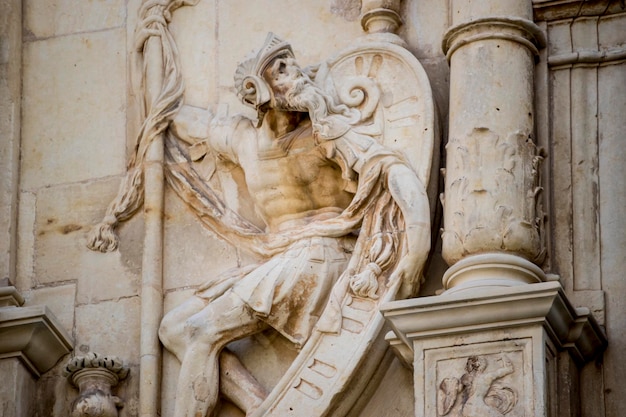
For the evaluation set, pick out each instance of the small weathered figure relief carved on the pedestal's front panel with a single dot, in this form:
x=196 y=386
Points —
x=477 y=394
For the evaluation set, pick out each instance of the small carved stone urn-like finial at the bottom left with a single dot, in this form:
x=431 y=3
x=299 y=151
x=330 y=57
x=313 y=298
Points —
x=95 y=376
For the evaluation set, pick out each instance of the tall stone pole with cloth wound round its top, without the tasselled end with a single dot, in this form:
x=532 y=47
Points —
x=163 y=91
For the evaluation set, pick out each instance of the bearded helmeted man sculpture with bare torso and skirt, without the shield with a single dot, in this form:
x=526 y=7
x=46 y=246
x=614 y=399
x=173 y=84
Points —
x=317 y=183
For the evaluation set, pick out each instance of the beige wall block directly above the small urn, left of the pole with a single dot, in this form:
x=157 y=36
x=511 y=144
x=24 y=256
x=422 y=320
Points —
x=110 y=328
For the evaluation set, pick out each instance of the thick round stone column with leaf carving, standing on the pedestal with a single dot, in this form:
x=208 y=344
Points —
x=492 y=215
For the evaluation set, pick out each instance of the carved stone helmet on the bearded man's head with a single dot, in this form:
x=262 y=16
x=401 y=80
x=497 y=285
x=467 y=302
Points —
x=249 y=83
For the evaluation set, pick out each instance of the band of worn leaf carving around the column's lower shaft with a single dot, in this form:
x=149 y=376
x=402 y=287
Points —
x=492 y=215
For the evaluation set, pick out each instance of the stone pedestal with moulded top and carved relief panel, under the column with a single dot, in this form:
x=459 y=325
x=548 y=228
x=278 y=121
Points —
x=491 y=353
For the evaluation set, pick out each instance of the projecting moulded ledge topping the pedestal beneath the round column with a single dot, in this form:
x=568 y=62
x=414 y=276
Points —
x=569 y=328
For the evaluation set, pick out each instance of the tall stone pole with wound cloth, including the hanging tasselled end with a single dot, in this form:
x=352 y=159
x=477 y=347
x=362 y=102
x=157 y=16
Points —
x=144 y=182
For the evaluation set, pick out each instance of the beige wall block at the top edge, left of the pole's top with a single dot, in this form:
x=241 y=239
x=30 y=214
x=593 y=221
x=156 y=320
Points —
x=44 y=19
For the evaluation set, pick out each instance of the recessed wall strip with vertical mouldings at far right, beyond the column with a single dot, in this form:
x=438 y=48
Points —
x=584 y=75
